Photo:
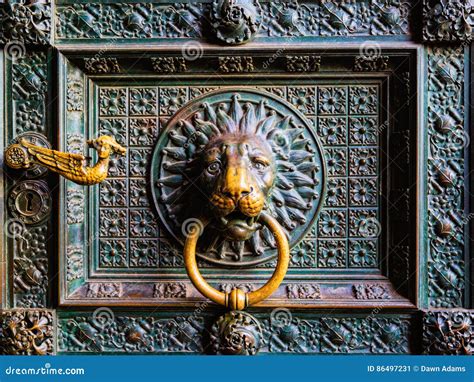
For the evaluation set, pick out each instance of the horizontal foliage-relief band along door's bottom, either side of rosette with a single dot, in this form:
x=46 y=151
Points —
x=294 y=333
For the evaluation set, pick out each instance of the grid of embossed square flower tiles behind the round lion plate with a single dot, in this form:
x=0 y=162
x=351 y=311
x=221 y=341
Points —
x=346 y=119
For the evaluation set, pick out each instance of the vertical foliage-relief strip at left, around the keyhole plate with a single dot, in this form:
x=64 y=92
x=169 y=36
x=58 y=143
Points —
x=27 y=88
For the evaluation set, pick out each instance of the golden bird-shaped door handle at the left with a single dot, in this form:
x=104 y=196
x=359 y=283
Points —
x=23 y=155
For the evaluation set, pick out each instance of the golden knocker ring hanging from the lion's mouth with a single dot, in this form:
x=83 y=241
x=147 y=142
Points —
x=238 y=299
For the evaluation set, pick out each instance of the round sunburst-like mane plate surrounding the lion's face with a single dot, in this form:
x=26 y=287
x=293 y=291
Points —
x=176 y=168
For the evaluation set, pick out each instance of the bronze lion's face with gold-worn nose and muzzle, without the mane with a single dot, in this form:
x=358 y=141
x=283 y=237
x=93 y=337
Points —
x=239 y=172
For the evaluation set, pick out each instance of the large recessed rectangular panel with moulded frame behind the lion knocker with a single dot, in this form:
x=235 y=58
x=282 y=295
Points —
x=114 y=249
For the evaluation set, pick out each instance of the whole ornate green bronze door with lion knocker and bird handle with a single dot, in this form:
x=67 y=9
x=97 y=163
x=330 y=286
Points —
x=234 y=178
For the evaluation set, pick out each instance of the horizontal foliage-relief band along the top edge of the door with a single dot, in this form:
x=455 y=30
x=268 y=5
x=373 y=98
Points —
x=232 y=21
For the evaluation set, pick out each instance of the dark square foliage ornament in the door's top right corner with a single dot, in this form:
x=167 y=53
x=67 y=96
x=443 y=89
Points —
x=447 y=20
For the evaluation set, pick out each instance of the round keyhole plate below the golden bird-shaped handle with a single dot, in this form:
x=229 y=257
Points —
x=30 y=201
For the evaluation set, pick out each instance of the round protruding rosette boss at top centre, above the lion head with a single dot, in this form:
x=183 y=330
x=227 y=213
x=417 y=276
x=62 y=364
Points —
x=236 y=21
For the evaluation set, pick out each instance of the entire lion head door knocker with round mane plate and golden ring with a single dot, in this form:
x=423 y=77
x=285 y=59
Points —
x=242 y=171
